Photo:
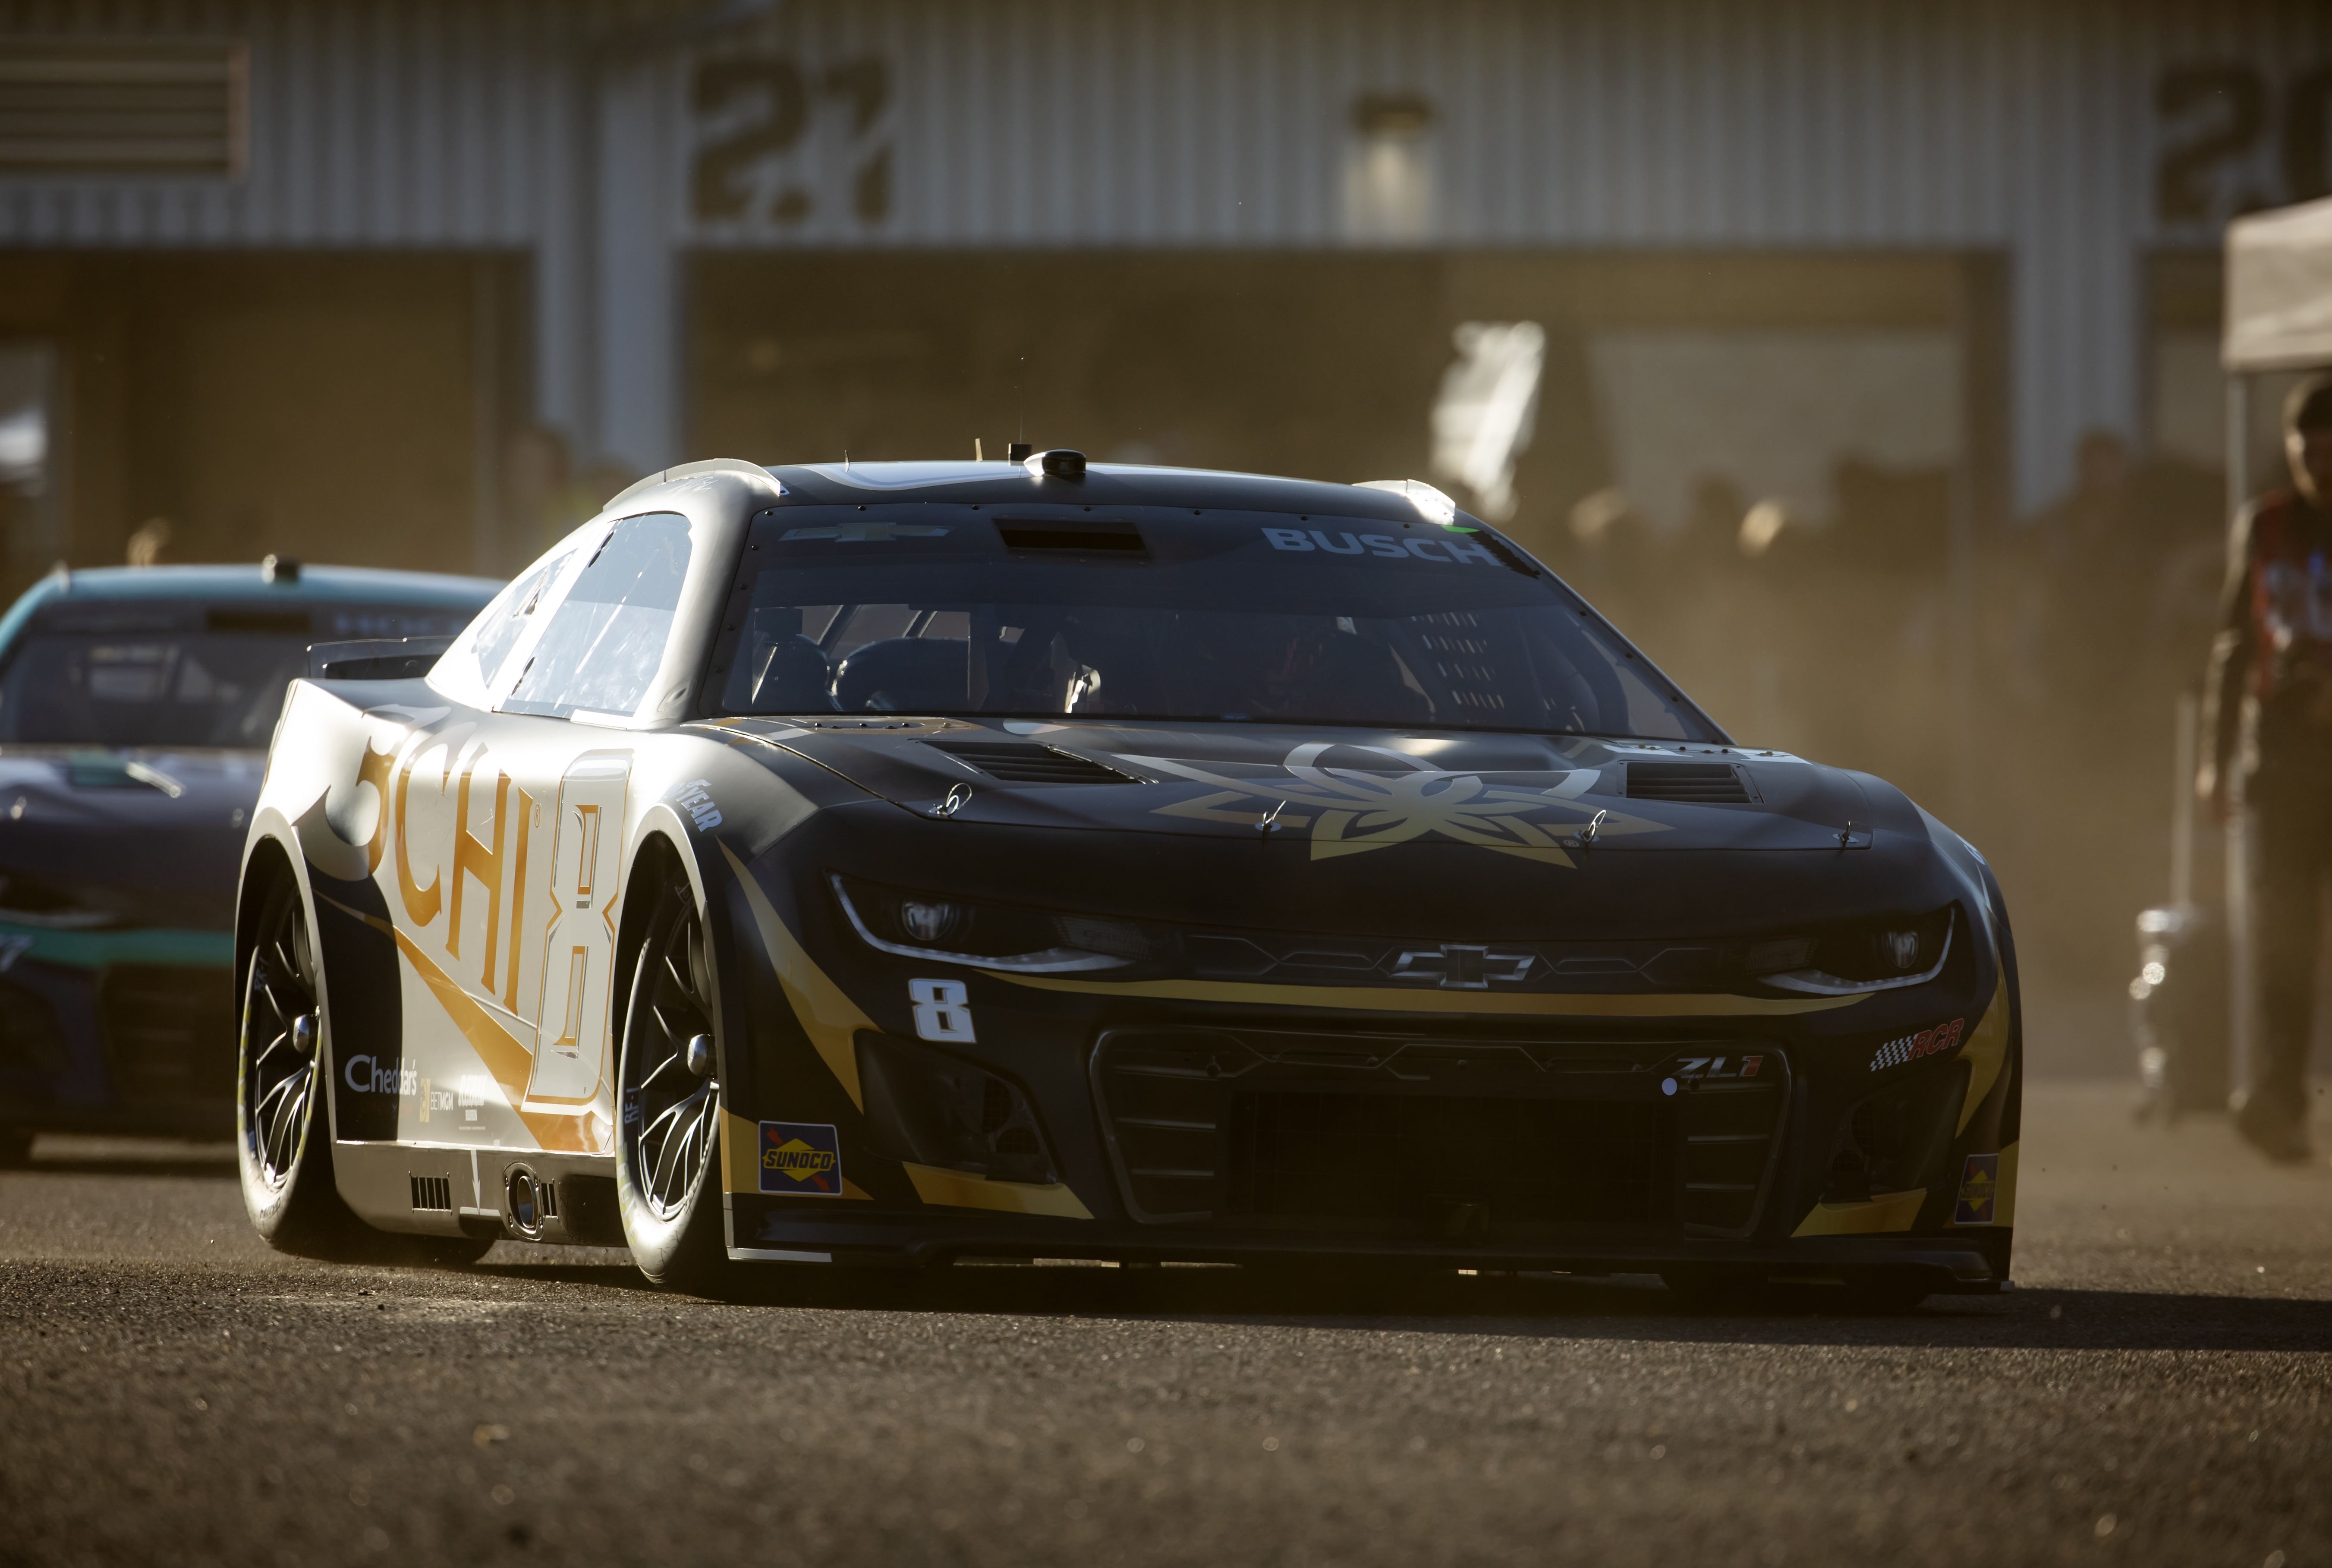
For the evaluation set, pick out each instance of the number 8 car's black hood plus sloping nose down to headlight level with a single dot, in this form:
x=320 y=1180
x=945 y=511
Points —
x=1447 y=836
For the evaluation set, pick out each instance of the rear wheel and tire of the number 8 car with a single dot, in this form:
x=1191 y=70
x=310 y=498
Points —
x=283 y=1130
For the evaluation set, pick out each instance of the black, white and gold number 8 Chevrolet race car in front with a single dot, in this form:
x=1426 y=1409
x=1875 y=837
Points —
x=904 y=862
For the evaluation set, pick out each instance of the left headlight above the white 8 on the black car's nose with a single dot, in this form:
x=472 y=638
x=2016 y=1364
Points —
x=988 y=934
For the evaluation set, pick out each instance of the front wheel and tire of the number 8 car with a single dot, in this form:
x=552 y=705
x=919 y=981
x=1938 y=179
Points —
x=668 y=1100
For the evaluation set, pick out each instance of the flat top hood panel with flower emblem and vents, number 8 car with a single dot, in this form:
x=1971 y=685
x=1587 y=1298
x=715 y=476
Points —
x=1349 y=790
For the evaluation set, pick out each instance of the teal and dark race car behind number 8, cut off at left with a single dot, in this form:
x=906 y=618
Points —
x=134 y=722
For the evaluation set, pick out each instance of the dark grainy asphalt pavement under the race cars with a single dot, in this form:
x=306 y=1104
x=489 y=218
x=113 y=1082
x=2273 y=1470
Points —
x=2158 y=1389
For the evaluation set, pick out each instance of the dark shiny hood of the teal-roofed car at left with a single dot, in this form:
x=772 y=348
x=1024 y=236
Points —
x=97 y=839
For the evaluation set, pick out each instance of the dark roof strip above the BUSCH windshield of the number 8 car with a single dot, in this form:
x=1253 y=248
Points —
x=1107 y=484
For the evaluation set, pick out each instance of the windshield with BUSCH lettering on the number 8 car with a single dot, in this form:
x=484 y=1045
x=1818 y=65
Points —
x=1160 y=615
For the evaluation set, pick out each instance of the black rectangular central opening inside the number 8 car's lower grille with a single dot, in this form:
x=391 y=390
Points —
x=1391 y=1156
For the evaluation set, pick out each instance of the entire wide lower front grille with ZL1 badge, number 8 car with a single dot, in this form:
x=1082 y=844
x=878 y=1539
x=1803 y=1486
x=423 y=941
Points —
x=1272 y=1128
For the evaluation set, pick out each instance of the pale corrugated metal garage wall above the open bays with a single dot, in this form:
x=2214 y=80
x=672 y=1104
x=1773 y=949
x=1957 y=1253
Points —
x=2023 y=127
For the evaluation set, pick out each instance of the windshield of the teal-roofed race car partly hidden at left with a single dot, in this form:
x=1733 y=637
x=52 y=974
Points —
x=174 y=675
